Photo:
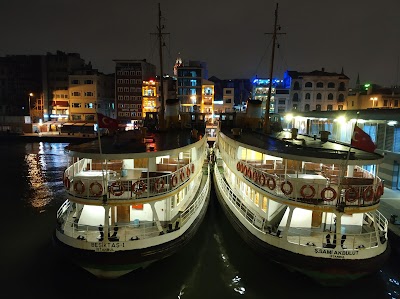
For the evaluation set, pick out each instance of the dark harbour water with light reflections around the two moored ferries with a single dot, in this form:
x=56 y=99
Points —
x=216 y=264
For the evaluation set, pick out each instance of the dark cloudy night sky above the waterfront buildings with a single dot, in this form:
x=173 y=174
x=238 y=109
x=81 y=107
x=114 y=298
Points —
x=363 y=37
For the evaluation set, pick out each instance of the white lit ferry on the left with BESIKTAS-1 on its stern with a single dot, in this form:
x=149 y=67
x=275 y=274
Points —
x=139 y=199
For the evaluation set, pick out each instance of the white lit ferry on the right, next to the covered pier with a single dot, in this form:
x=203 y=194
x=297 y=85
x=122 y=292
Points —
x=307 y=203
